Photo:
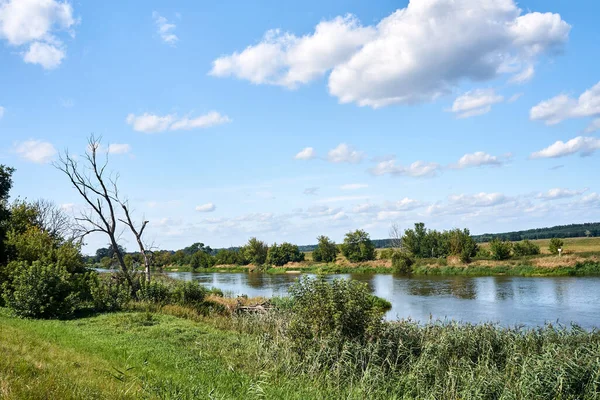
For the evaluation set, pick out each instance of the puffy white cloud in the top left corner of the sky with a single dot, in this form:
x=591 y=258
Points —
x=36 y=23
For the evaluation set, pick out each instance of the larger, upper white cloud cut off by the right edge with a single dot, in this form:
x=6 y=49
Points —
x=561 y=107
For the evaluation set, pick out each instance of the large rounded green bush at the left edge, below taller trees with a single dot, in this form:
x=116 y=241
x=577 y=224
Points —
x=41 y=291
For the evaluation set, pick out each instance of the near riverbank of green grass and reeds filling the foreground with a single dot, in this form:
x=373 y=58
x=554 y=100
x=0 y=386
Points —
x=155 y=354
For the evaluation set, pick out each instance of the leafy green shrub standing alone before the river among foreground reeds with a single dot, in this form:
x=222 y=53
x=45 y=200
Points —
x=341 y=310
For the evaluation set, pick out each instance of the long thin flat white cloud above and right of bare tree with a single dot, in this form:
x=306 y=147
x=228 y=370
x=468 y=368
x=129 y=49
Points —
x=151 y=123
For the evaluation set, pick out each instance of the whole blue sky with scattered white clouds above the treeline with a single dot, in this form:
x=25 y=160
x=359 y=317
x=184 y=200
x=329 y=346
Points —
x=288 y=120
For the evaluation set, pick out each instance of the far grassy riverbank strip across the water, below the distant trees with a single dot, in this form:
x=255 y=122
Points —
x=569 y=265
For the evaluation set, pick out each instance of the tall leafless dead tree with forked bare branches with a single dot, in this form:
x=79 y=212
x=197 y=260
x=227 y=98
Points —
x=101 y=194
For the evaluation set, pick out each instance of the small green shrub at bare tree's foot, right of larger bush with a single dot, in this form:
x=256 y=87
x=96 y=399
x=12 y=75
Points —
x=109 y=293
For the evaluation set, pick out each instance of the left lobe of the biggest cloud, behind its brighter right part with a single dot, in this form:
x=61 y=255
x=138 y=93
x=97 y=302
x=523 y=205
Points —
x=287 y=60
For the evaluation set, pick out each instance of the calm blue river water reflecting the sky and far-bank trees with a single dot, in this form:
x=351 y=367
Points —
x=506 y=300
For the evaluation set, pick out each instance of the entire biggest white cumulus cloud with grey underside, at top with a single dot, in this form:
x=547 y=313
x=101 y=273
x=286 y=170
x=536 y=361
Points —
x=416 y=54
